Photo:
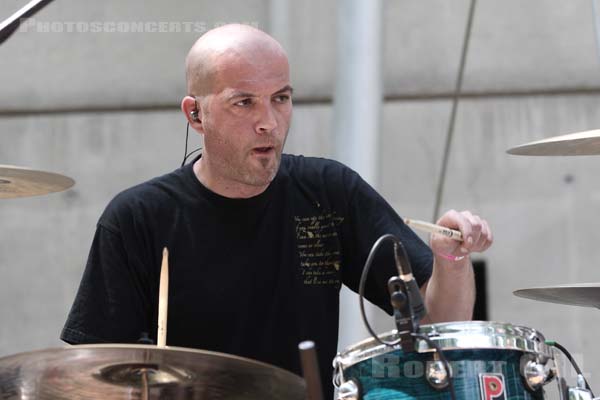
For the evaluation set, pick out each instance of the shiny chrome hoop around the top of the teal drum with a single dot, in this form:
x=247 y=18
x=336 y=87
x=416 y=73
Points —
x=467 y=335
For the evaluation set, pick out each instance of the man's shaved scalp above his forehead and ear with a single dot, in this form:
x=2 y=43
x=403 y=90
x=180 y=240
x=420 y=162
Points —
x=219 y=48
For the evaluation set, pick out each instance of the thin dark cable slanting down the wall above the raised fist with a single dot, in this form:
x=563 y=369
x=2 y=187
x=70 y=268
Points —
x=450 y=132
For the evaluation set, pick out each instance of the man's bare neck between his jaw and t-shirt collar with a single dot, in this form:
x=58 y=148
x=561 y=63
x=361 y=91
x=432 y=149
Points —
x=222 y=186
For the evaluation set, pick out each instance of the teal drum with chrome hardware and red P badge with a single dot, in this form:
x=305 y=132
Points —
x=487 y=360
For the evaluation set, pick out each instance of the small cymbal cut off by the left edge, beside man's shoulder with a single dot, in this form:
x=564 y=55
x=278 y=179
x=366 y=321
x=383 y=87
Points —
x=23 y=182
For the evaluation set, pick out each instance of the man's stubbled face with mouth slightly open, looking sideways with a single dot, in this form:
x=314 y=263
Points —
x=246 y=119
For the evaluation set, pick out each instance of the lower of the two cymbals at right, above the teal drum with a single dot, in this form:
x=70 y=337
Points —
x=582 y=294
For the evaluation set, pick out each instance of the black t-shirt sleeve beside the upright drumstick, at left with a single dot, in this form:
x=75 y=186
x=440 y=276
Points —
x=111 y=304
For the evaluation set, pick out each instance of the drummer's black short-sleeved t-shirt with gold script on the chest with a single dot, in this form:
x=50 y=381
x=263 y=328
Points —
x=251 y=277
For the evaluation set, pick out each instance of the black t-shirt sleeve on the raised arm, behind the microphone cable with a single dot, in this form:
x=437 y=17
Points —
x=368 y=218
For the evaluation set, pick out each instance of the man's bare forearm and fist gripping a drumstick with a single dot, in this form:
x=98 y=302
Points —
x=449 y=294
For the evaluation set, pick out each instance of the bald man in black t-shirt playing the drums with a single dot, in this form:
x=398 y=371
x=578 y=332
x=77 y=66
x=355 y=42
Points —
x=260 y=242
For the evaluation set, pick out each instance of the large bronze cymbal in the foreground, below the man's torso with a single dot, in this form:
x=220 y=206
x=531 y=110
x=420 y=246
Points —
x=119 y=371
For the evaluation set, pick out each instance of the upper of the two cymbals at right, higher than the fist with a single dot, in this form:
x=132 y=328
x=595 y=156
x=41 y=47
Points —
x=575 y=144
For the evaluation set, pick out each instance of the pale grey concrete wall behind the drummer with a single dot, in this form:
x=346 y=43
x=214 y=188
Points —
x=102 y=108
